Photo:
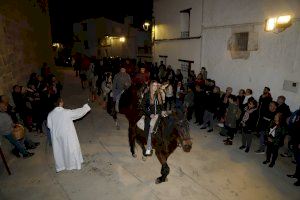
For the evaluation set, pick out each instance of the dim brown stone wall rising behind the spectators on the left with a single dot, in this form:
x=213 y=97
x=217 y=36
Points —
x=25 y=41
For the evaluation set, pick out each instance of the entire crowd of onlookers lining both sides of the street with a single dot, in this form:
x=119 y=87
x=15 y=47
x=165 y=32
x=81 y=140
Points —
x=271 y=121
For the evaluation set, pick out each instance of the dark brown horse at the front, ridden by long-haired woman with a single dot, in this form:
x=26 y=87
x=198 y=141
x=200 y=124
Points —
x=169 y=133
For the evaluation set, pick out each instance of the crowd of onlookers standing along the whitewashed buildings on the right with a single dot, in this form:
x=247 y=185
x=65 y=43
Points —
x=269 y=120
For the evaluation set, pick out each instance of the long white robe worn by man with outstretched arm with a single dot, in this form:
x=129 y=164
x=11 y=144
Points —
x=66 y=147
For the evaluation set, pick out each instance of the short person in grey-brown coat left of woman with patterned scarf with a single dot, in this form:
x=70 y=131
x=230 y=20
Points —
x=232 y=115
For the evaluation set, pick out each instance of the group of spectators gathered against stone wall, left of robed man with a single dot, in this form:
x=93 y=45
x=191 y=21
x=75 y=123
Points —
x=32 y=103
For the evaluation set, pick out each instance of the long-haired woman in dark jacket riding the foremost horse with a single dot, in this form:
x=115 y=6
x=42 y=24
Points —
x=152 y=104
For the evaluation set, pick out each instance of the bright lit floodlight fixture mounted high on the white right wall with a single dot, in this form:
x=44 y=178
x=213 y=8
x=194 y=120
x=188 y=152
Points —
x=278 y=24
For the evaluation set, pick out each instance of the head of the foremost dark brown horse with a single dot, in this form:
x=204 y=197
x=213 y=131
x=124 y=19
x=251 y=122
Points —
x=183 y=129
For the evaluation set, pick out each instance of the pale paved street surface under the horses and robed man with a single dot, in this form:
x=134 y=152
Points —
x=210 y=171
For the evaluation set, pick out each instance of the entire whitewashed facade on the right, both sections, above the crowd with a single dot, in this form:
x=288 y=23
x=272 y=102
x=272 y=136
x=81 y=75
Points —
x=205 y=33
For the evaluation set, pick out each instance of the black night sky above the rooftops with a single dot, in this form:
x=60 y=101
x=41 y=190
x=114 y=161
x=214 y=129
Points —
x=64 y=12
